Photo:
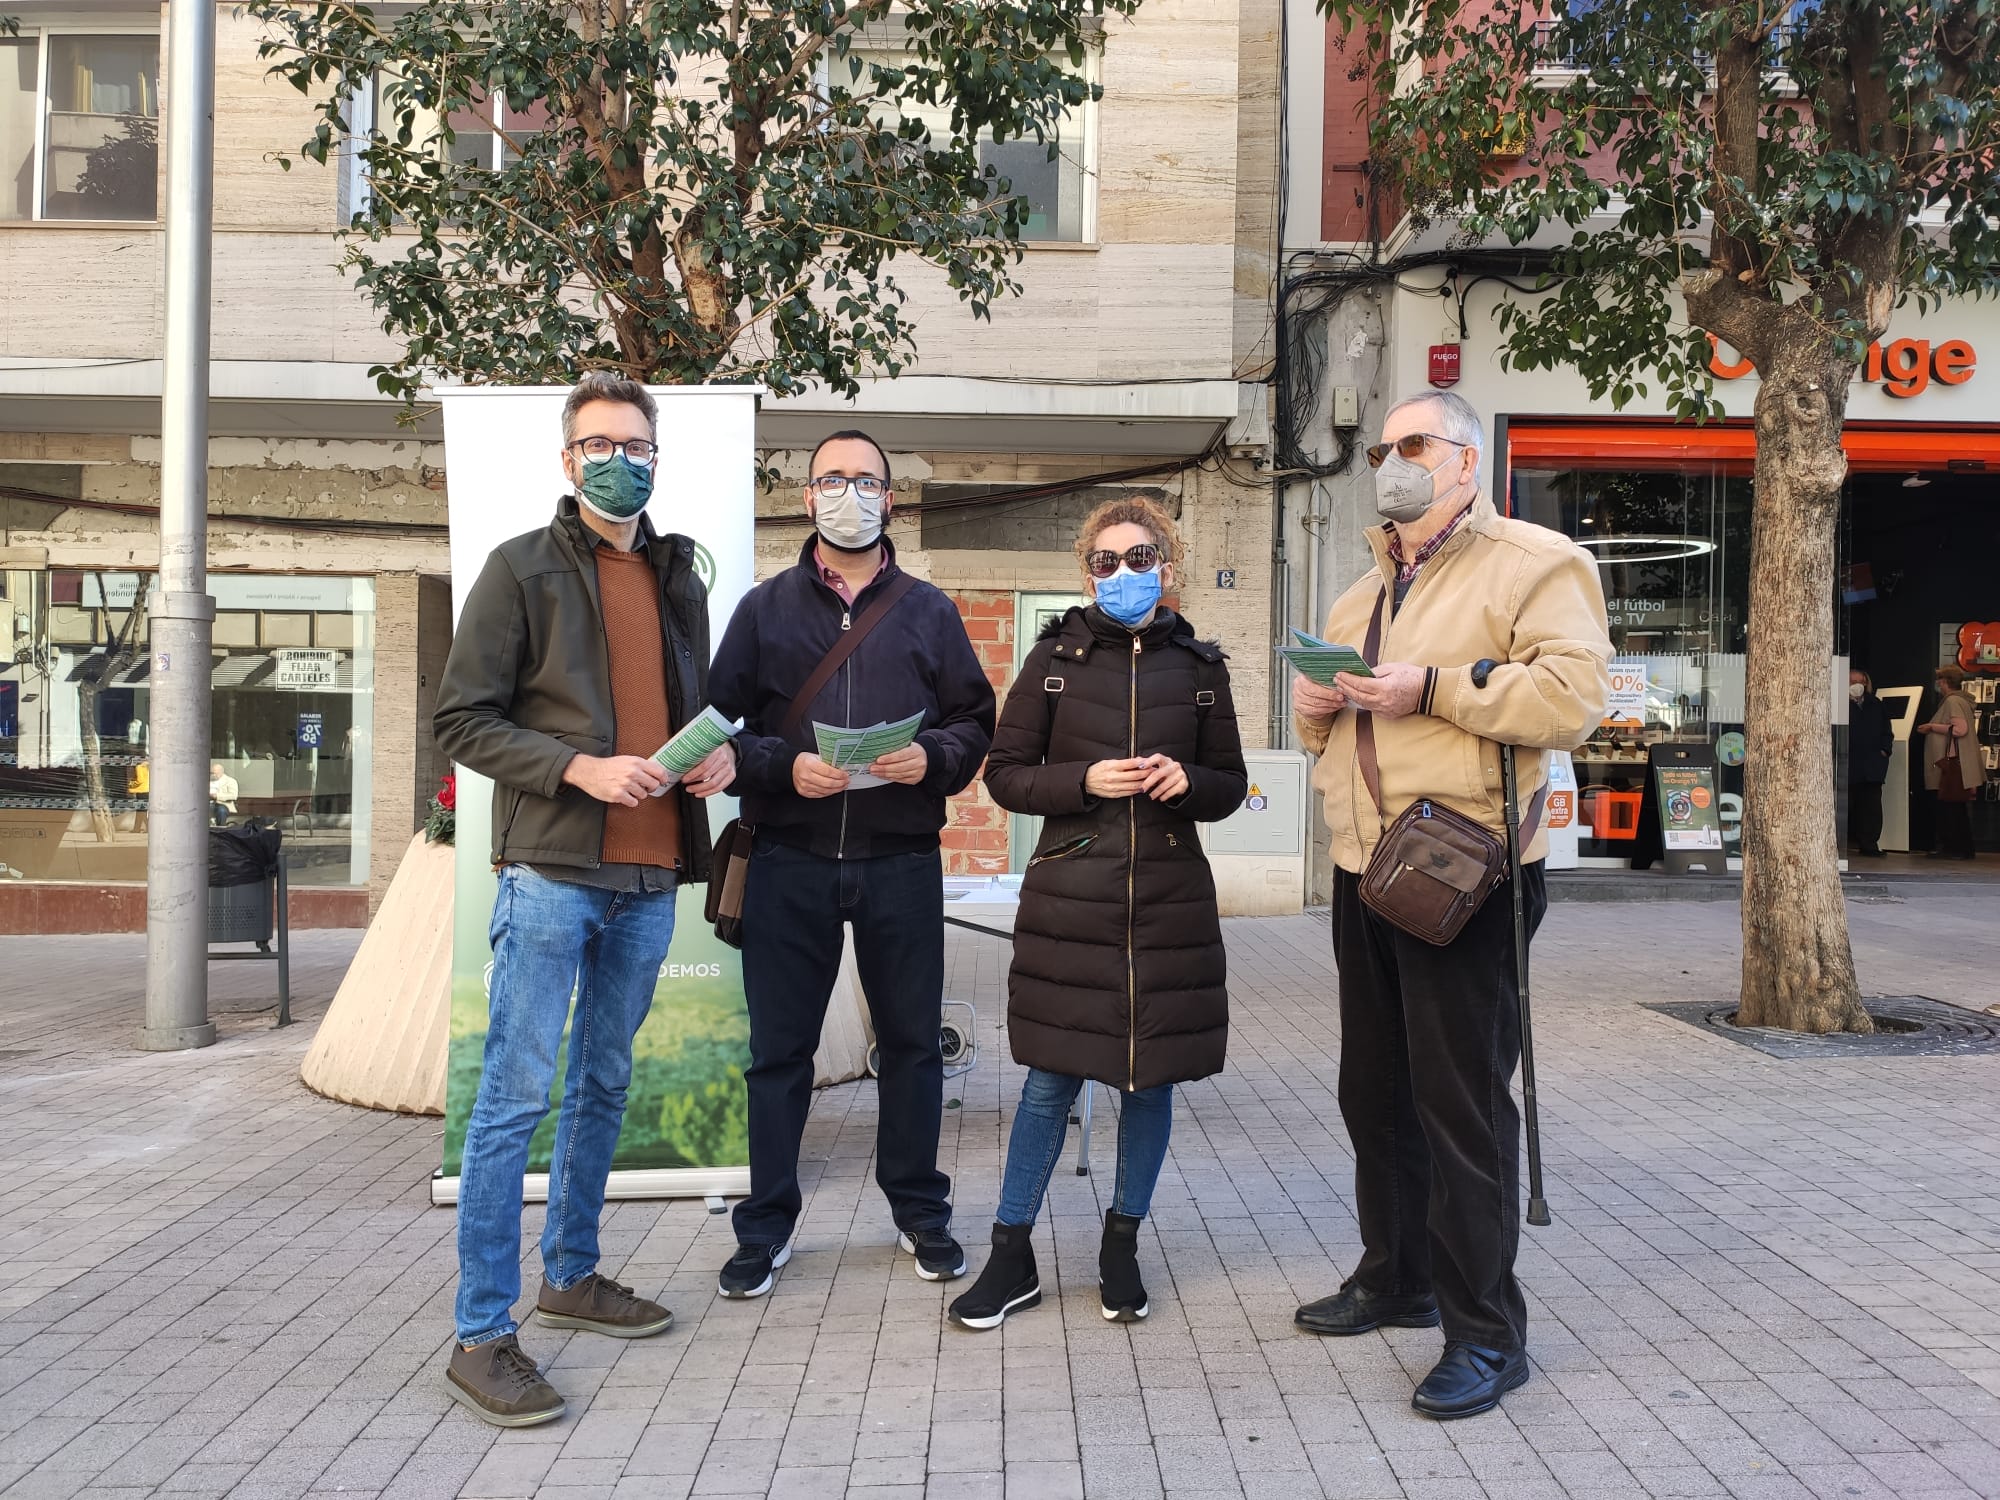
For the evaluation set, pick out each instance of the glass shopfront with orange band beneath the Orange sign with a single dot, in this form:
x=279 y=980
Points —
x=1667 y=513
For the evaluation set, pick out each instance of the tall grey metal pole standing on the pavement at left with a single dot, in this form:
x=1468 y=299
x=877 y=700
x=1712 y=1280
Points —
x=183 y=621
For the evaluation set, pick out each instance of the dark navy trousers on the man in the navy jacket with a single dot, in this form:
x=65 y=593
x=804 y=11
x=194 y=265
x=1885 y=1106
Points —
x=795 y=911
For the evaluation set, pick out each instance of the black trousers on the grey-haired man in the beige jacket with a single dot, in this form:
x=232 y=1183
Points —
x=1429 y=1043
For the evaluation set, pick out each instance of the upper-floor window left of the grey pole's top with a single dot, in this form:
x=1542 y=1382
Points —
x=79 y=127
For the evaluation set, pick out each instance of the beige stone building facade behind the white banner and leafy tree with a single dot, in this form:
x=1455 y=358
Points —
x=1133 y=353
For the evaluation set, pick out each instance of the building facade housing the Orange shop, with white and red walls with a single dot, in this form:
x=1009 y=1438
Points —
x=1377 y=307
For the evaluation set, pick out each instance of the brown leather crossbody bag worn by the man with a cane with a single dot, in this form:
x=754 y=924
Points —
x=1435 y=867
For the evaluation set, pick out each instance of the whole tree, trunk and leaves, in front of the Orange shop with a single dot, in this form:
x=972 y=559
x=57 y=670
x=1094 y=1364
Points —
x=1771 y=173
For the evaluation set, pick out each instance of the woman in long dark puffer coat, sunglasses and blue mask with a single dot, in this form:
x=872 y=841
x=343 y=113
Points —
x=1123 y=737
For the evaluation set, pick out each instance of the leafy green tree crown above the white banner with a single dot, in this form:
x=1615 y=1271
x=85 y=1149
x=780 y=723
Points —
x=683 y=189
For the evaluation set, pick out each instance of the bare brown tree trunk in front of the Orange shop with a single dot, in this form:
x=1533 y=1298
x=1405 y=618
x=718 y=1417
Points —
x=1799 y=965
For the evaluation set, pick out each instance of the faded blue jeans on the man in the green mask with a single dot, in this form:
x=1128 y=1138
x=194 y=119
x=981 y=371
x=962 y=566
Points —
x=549 y=937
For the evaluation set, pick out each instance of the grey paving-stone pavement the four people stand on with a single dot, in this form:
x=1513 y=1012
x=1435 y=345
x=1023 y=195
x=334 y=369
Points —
x=1767 y=1279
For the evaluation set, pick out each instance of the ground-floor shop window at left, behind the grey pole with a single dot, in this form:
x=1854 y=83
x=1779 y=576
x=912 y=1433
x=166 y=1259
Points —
x=291 y=727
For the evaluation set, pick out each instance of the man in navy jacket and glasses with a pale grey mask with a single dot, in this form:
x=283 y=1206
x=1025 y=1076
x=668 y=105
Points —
x=827 y=855
